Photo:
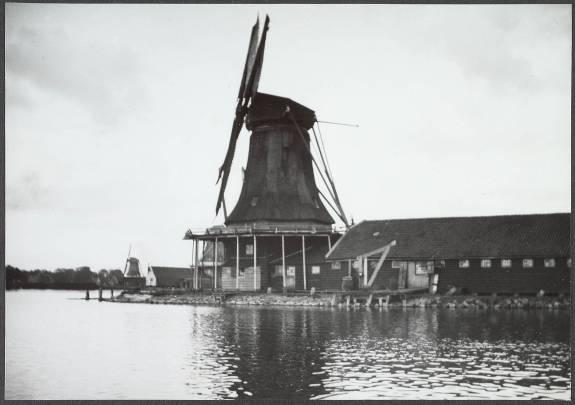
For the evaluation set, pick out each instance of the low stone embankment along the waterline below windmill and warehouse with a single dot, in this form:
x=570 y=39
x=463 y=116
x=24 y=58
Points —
x=339 y=300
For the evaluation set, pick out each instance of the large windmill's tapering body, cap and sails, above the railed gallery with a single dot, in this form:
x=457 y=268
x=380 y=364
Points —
x=279 y=184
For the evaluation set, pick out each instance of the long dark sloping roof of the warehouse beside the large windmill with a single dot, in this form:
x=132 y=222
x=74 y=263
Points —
x=466 y=237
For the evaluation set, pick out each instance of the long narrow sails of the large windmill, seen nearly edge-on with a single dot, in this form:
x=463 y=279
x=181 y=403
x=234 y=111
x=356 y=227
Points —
x=248 y=88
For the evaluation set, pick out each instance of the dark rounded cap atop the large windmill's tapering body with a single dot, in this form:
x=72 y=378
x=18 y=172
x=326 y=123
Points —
x=267 y=109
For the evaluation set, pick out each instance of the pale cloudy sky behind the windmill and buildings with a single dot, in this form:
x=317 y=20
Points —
x=118 y=116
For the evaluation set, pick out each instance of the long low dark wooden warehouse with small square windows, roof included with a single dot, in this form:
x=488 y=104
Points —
x=503 y=254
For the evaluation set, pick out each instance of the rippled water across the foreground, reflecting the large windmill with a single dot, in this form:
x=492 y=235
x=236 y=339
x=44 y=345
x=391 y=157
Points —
x=58 y=348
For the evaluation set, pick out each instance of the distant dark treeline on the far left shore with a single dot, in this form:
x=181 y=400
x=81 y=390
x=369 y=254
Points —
x=78 y=278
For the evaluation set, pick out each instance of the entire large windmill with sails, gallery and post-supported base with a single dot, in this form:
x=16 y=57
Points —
x=280 y=211
